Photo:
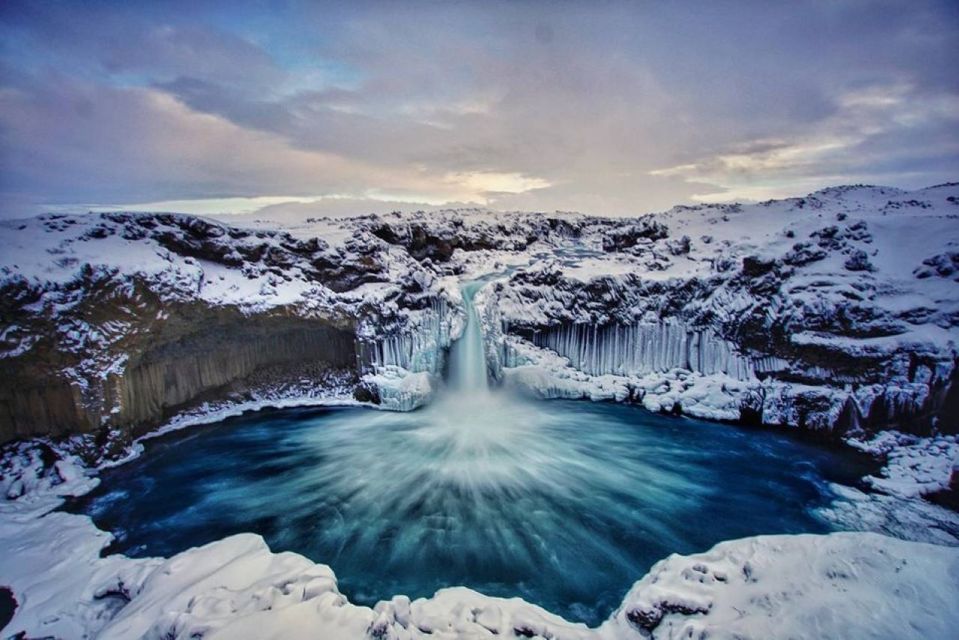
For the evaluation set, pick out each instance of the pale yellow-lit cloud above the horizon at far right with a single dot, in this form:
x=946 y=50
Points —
x=876 y=133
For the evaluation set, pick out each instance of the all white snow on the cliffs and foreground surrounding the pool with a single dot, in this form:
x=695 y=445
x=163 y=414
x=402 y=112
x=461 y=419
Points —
x=857 y=273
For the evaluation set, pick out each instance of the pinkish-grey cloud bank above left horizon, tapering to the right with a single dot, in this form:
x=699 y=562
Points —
x=148 y=147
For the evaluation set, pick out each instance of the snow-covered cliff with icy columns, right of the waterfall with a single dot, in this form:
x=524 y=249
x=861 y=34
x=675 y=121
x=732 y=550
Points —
x=837 y=311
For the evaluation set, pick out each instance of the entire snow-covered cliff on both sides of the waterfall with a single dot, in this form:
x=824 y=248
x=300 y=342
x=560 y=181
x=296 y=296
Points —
x=836 y=312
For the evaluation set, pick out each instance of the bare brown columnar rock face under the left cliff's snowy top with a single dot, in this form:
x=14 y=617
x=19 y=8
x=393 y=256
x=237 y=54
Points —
x=192 y=355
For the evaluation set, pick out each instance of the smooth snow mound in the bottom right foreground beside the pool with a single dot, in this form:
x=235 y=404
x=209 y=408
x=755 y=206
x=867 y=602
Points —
x=844 y=585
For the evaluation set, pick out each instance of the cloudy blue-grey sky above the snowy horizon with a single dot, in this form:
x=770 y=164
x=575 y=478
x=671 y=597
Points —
x=614 y=108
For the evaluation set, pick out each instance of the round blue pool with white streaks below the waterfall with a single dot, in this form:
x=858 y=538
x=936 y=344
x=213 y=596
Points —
x=563 y=503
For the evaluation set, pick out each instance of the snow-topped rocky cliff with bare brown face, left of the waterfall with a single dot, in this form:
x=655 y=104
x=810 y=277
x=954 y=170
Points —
x=123 y=320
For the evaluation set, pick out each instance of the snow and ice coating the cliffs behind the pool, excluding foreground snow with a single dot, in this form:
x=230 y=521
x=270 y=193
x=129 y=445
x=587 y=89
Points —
x=607 y=281
